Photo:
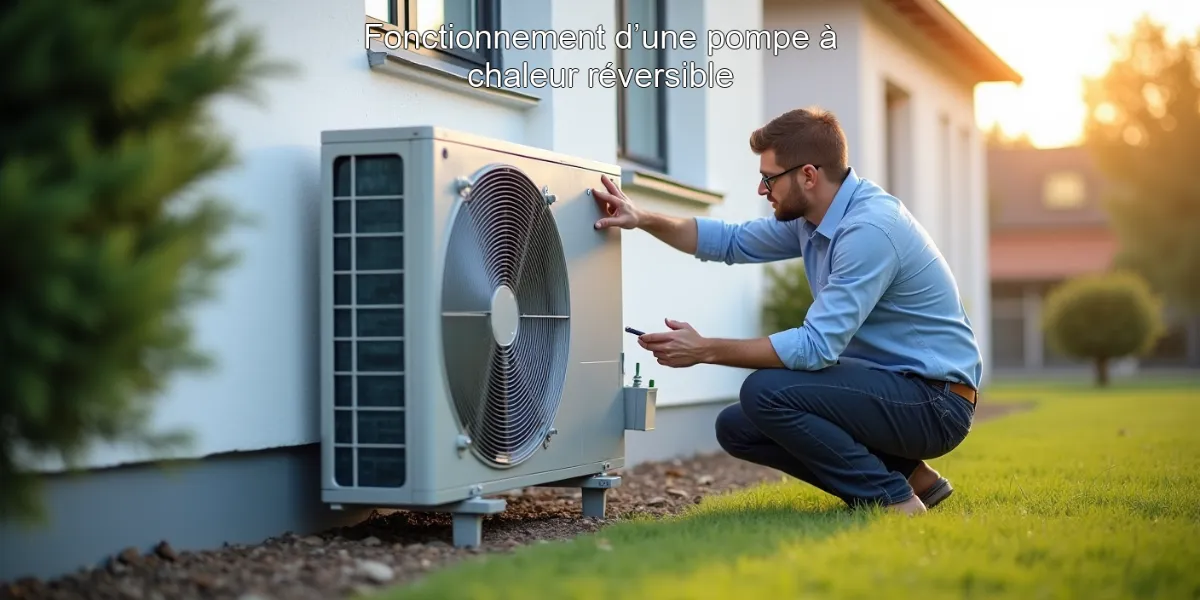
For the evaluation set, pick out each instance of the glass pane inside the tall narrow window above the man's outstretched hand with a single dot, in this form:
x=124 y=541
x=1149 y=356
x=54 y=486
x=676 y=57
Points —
x=643 y=104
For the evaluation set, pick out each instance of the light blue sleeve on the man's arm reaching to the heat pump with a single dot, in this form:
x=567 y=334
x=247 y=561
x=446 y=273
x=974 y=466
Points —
x=753 y=242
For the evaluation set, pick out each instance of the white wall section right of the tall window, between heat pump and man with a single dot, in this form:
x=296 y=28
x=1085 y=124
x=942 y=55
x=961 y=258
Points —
x=710 y=133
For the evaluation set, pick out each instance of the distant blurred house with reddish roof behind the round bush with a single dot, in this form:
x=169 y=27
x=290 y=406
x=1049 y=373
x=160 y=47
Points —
x=1048 y=226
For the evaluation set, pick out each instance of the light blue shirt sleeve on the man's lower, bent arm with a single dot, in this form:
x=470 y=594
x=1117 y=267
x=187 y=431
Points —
x=865 y=263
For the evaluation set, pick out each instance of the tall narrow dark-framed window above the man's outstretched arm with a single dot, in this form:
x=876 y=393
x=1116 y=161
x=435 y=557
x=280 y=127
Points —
x=641 y=112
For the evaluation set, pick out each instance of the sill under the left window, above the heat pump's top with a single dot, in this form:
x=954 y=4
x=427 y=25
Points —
x=411 y=65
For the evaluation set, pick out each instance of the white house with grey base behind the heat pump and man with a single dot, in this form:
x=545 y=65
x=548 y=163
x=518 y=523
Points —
x=901 y=80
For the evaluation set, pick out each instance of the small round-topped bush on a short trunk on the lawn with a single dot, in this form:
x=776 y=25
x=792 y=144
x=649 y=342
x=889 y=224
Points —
x=1103 y=317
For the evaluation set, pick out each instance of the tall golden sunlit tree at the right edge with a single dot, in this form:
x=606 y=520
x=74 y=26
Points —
x=1143 y=128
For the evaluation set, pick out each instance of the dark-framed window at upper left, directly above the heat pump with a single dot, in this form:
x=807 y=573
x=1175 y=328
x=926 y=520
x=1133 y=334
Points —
x=419 y=17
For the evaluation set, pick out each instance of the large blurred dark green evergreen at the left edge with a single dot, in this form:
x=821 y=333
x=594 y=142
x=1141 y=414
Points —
x=109 y=241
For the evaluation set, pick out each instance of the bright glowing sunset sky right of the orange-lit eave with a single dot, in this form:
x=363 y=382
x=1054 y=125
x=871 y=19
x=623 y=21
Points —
x=1054 y=44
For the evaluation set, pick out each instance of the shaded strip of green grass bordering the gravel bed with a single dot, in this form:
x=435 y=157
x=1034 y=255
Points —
x=722 y=531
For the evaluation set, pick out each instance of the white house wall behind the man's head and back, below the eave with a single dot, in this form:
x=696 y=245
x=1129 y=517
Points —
x=925 y=148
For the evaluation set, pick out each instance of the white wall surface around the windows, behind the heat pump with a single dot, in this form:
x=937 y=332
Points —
x=262 y=329
